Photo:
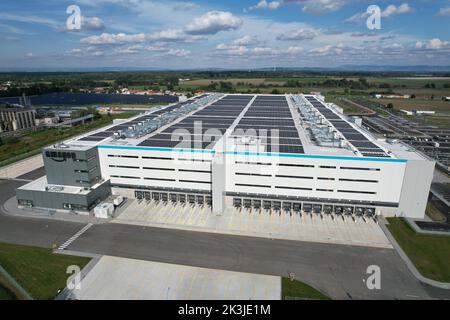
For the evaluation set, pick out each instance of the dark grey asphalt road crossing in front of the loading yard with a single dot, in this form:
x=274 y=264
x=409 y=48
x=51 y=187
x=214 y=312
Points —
x=338 y=270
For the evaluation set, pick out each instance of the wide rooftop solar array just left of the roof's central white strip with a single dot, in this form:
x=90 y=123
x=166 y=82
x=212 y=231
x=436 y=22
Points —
x=204 y=128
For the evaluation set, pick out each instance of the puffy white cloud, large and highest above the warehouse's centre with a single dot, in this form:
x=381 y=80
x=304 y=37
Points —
x=213 y=22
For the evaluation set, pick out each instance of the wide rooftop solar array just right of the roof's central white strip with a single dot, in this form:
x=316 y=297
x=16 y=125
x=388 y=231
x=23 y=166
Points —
x=270 y=120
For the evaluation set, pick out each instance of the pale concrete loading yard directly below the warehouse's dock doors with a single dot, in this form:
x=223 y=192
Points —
x=316 y=227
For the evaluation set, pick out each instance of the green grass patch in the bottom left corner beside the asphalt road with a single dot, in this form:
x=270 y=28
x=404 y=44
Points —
x=38 y=270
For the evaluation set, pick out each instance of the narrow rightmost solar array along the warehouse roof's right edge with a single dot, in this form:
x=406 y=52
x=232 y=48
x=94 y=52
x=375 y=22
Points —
x=354 y=137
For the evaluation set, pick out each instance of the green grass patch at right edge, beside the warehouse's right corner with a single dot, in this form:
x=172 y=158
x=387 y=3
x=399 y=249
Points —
x=429 y=253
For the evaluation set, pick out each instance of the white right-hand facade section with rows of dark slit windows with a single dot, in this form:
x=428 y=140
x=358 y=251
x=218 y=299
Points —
x=316 y=177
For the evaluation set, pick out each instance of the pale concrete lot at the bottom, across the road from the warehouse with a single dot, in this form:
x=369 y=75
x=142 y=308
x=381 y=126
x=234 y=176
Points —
x=114 y=278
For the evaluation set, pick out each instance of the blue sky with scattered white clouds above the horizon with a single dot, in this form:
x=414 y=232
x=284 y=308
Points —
x=222 y=34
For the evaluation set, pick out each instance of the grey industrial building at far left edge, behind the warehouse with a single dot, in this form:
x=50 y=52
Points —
x=13 y=118
